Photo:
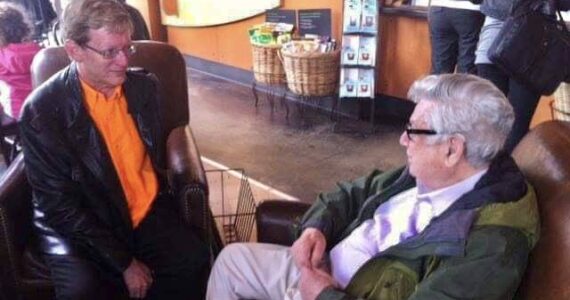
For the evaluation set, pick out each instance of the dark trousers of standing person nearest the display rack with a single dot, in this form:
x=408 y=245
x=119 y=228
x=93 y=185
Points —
x=454 y=34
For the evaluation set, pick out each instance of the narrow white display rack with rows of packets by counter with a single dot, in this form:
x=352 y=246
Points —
x=359 y=53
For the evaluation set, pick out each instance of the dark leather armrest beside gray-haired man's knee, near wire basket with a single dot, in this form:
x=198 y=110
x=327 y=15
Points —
x=275 y=220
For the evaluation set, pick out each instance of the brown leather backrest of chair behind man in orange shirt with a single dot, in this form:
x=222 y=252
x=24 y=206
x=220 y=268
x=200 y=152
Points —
x=163 y=60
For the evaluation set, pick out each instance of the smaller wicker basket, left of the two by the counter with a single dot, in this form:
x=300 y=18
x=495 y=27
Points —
x=267 y=67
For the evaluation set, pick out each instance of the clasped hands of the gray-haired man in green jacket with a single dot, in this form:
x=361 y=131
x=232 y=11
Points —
x=308 y=254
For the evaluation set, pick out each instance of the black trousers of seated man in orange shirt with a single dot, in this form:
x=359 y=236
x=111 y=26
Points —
x=176 y=256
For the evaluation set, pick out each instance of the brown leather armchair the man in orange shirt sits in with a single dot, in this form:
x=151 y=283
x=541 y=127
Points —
x=22 y=272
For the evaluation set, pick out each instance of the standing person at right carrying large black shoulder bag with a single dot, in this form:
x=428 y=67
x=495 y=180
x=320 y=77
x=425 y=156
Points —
x=522 y=98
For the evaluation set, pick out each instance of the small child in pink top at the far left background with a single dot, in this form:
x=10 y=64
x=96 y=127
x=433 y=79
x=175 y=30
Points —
x=16 y=55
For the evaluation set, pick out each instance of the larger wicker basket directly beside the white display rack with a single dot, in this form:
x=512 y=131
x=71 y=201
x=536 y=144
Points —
x=312 y=74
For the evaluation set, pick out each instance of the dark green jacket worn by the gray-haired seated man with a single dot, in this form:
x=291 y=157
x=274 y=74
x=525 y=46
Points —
x=477 y=249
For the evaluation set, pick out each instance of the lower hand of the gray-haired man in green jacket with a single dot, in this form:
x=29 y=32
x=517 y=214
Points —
x=313 y=281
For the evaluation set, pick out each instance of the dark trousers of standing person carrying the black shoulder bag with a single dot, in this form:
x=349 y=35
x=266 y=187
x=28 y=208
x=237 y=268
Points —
x=523 y=100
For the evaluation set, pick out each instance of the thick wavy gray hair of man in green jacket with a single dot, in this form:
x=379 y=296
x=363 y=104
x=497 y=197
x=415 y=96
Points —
x=470 y=106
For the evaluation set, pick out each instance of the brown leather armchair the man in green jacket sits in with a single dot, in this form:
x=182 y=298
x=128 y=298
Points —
x=544 y=157
